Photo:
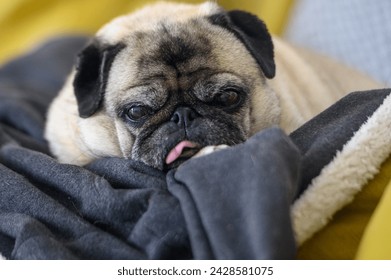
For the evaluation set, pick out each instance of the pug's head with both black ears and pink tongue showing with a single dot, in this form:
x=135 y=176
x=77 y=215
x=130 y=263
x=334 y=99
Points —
x=165 y=82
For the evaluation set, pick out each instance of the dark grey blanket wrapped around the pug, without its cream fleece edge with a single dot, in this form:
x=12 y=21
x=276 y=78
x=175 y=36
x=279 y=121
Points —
x=232 y=204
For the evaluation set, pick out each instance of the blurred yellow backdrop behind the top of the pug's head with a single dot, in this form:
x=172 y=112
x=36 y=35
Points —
x=24 y=23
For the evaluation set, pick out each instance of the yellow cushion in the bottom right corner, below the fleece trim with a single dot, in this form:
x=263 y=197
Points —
x=340 y=239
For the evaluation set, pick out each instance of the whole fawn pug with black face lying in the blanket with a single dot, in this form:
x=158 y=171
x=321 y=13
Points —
x=164 y=82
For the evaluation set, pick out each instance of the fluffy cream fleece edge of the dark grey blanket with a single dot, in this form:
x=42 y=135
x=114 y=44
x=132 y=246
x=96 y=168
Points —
x=364 y=153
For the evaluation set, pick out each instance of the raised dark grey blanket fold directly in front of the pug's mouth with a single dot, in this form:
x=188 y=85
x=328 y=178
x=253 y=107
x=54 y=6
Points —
x=241 y=197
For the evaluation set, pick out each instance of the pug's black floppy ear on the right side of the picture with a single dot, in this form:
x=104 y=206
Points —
x=253 y=33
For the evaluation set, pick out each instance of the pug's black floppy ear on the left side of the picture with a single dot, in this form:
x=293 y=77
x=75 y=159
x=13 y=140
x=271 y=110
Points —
x=92 y=71
